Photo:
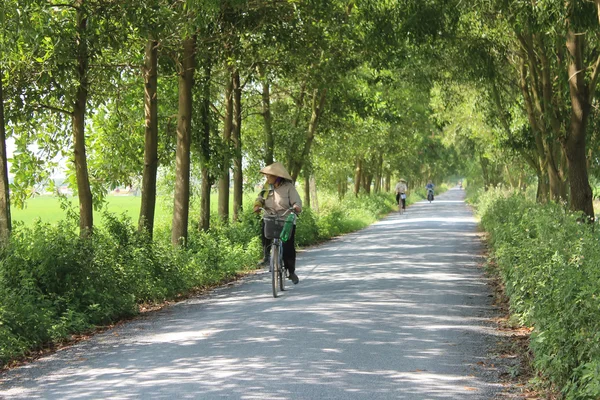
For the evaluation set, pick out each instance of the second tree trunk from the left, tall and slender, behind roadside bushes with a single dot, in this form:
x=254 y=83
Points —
x=86 y=215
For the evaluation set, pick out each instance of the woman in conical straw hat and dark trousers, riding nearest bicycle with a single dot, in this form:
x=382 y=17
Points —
x=279 y=195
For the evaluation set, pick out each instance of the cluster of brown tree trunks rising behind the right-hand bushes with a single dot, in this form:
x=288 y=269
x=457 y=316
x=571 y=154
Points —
x=561 y=156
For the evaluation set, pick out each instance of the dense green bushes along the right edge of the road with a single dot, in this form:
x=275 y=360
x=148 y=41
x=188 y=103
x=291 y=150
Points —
x=550 y=263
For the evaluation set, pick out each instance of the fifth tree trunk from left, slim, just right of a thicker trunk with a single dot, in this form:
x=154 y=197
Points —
x=207 y=179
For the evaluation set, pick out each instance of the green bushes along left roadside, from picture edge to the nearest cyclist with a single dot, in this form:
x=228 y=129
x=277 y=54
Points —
x=54 y=283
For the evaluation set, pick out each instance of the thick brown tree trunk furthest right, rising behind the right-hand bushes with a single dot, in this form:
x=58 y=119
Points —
x=581 y=192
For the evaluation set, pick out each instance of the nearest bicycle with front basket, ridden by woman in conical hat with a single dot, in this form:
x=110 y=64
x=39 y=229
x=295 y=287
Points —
x=273 y=227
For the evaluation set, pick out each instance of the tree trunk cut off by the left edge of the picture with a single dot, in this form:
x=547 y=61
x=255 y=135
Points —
x=5 y=219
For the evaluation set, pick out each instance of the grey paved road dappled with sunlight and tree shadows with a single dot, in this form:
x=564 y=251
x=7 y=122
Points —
x=398 y=310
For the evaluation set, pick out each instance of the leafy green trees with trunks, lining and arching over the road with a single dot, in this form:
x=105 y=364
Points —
x=348 y=94
